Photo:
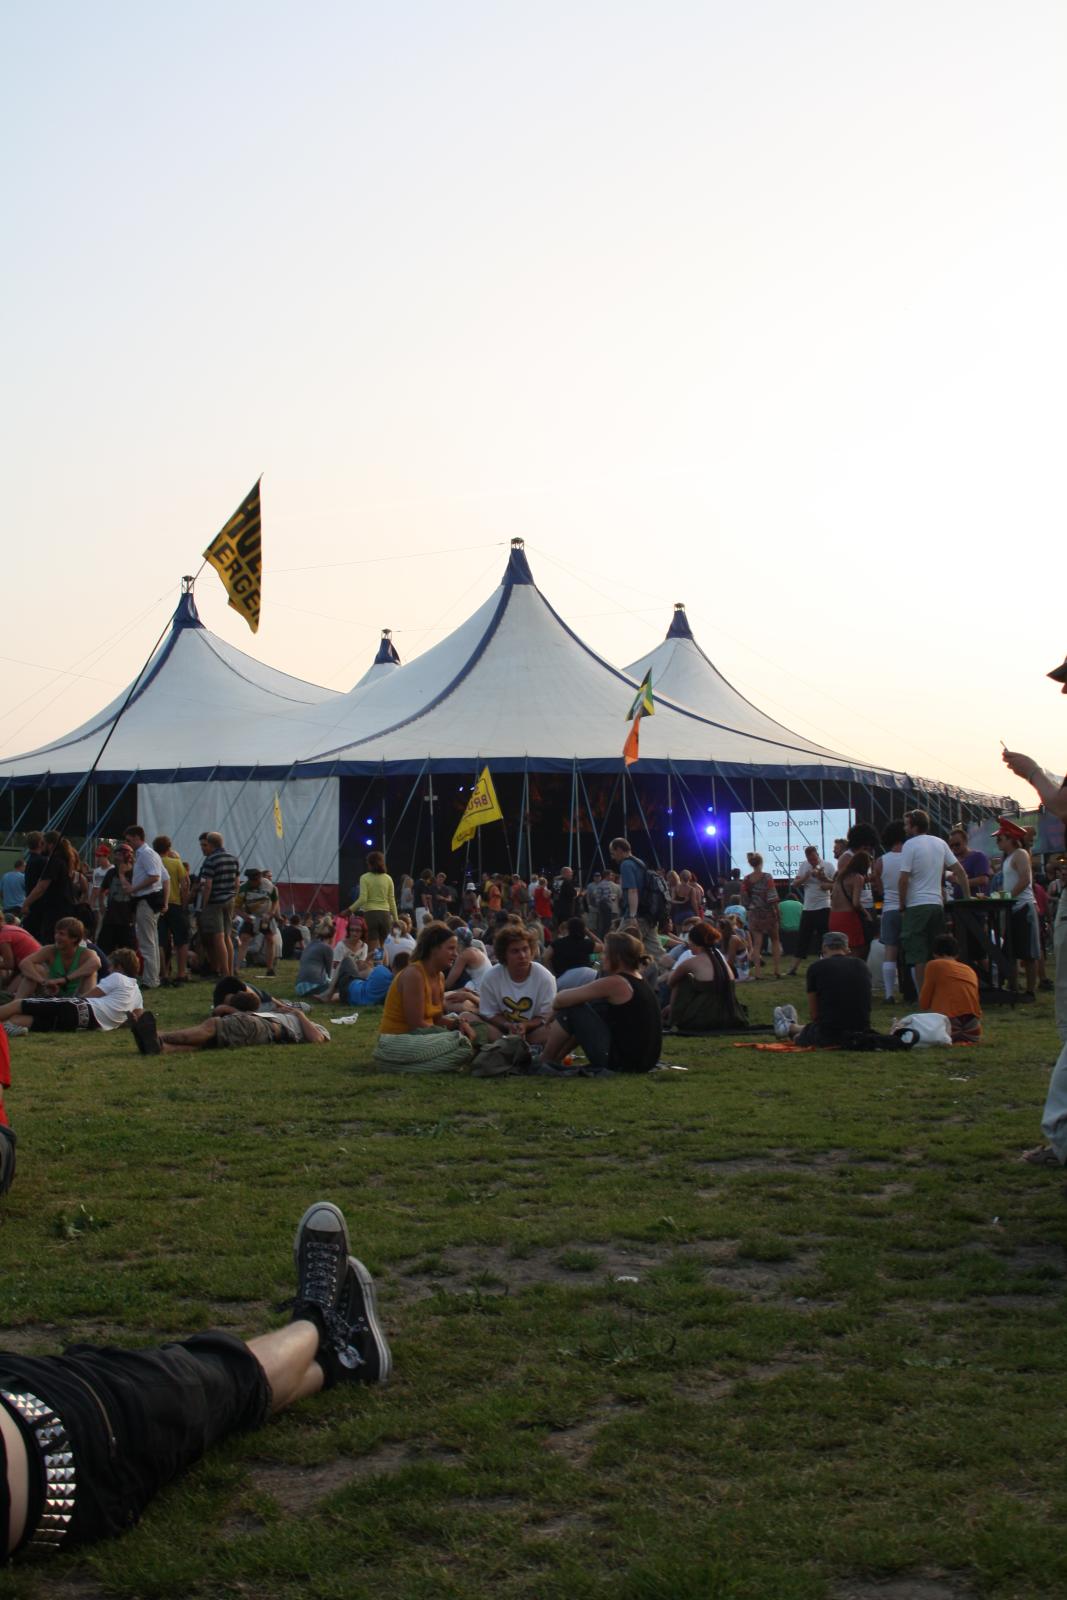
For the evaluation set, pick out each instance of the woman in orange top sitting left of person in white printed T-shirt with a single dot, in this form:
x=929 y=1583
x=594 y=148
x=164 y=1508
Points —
x=417 y=1033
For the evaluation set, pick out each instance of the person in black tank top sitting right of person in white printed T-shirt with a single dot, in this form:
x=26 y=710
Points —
x=615 y=1020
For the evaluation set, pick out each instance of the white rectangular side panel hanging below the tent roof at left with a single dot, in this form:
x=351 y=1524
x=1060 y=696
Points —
x=244 y=814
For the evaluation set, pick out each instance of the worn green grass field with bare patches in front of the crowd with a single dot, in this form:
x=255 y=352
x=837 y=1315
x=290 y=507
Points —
x=786 y=1326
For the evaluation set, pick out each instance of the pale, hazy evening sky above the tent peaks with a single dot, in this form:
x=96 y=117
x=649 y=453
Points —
x=757 y=308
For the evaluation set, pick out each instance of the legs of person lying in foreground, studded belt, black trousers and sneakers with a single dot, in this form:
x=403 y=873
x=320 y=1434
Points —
x=92 y=1436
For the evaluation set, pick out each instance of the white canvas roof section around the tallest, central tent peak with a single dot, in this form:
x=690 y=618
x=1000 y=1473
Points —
x=518 y=687
